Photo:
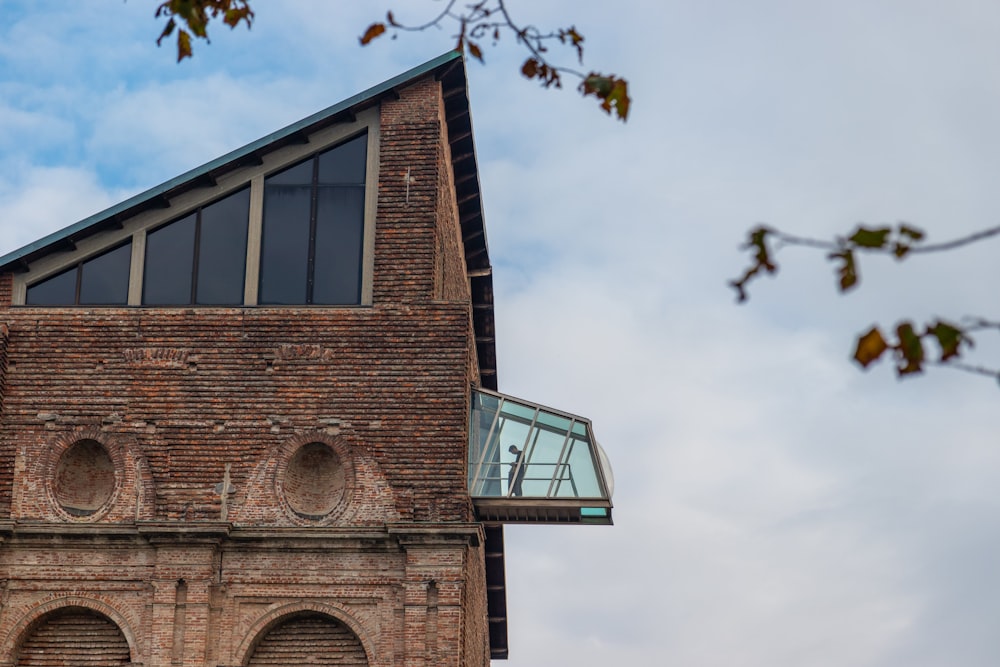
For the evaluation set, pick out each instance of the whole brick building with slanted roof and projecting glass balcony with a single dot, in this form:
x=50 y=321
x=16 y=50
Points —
x=249 y=417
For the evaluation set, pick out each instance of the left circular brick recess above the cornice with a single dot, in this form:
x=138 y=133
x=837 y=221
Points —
x=85 y=478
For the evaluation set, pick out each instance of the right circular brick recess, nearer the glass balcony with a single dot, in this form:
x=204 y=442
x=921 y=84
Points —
x=314 y=481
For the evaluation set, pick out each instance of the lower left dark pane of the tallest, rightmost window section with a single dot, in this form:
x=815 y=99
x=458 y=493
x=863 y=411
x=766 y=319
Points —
x=285 y=244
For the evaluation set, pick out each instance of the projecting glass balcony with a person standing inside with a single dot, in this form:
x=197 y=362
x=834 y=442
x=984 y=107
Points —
x=532 y=464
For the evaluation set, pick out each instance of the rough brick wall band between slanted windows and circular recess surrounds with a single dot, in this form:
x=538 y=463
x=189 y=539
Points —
x=391 y=382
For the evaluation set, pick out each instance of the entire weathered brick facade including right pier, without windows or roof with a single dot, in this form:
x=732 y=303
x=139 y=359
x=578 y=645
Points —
x=208 y=537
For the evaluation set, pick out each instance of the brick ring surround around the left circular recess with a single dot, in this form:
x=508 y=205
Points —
x=133 y=478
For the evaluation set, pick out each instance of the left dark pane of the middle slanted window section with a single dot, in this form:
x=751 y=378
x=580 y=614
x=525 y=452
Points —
x=169 y=259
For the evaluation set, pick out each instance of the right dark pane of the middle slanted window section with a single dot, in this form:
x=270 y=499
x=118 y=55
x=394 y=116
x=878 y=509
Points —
x=222 y=250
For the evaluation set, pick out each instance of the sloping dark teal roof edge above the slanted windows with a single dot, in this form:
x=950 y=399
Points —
x=12 y=258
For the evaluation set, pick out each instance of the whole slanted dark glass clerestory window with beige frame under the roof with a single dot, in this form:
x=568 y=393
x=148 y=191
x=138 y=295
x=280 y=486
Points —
x=295 y=230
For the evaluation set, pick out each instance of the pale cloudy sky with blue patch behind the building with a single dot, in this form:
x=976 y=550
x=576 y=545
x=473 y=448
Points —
x=774 y=505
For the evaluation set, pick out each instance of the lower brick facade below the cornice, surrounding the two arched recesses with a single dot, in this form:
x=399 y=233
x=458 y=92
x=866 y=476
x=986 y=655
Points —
x=407 y=597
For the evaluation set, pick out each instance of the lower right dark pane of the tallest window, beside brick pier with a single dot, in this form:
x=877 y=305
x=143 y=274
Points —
x=339 y=230
